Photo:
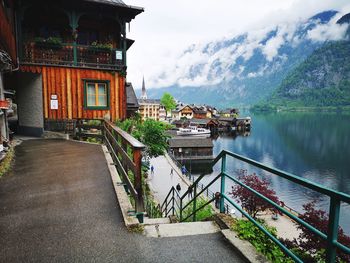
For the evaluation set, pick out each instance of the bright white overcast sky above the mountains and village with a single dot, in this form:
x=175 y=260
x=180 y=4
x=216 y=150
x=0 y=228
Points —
x=166 y=28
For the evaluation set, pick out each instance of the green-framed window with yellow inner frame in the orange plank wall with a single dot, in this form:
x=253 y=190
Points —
x=96 y=94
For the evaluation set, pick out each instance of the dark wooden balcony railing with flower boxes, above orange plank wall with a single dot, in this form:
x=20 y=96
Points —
x=71 y=55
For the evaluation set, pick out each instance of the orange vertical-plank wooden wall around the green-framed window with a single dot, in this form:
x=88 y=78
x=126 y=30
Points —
x=68 y=85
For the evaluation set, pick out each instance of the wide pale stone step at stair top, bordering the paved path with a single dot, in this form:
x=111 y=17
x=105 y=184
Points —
x=181 y=229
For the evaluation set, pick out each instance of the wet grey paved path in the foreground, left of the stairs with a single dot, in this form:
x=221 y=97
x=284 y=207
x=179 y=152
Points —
x=58 y=205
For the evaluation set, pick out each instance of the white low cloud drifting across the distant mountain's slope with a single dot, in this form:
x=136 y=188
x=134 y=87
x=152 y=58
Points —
x=209 y=64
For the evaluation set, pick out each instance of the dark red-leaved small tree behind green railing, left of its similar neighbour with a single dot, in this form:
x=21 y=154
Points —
x=249 y=201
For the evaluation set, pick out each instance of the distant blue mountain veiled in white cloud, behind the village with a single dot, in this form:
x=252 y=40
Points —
x=247 y=68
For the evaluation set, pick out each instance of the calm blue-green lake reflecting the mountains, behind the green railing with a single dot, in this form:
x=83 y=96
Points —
x=315 y=146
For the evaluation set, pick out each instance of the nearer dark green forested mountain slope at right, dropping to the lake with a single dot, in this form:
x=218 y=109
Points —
x=323 y=79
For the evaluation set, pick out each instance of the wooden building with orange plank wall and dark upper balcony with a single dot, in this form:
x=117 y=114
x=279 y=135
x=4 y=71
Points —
x=72 y=57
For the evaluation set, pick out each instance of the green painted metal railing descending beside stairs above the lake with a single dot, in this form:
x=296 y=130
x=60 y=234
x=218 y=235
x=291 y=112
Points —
x=336 y=198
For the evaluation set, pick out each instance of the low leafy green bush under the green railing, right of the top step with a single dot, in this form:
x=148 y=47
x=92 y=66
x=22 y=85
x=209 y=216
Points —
x=248 y=231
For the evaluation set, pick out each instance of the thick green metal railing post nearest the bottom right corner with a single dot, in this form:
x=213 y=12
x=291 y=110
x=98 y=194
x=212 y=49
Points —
x=333 y=226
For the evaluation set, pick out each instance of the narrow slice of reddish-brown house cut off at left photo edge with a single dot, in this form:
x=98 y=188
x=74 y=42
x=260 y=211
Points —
x=8 y=63
